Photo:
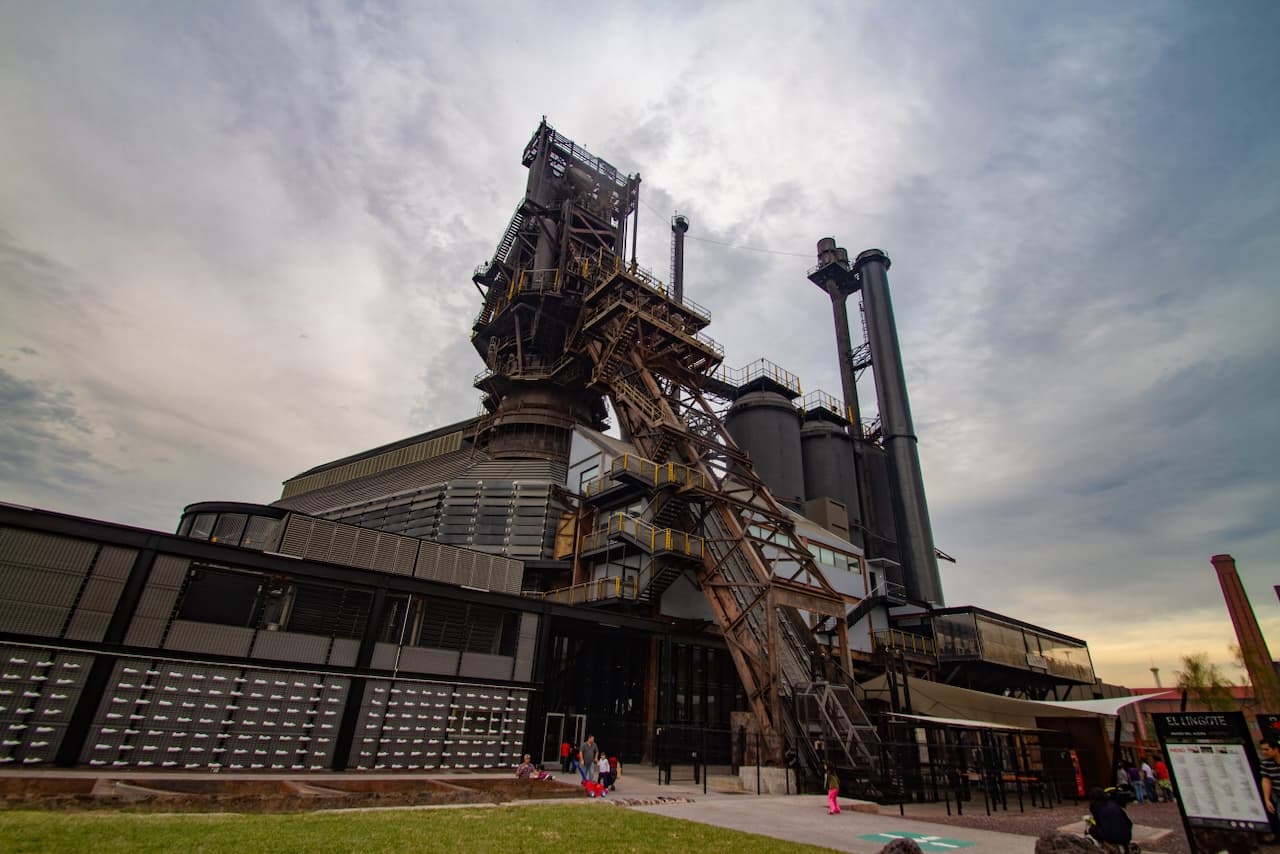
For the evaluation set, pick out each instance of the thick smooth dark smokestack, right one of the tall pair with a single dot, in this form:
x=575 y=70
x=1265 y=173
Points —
x=911 y=512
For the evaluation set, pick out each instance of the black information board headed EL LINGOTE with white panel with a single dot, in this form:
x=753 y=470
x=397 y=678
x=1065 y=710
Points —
x=1214 y=769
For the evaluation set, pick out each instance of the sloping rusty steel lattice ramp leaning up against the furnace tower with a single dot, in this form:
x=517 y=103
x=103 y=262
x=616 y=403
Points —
x=760 y=581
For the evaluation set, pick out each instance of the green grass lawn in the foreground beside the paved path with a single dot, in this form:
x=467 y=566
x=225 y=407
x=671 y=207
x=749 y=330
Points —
x=580 y=828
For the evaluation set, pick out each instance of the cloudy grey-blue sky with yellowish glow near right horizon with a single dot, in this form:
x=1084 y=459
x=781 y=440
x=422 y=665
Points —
x=237 y=241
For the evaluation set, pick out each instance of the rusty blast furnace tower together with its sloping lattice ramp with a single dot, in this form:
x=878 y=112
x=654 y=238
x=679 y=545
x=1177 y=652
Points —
x=568 y=322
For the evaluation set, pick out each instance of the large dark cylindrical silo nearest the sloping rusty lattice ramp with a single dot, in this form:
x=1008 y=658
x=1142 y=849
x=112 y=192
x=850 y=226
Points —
x=766 y=424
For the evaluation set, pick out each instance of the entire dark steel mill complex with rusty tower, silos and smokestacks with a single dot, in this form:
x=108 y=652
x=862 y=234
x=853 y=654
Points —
x=516 y=579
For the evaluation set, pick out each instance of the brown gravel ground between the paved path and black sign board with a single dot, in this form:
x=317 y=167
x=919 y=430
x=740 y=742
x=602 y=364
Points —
x=1036 y=821
